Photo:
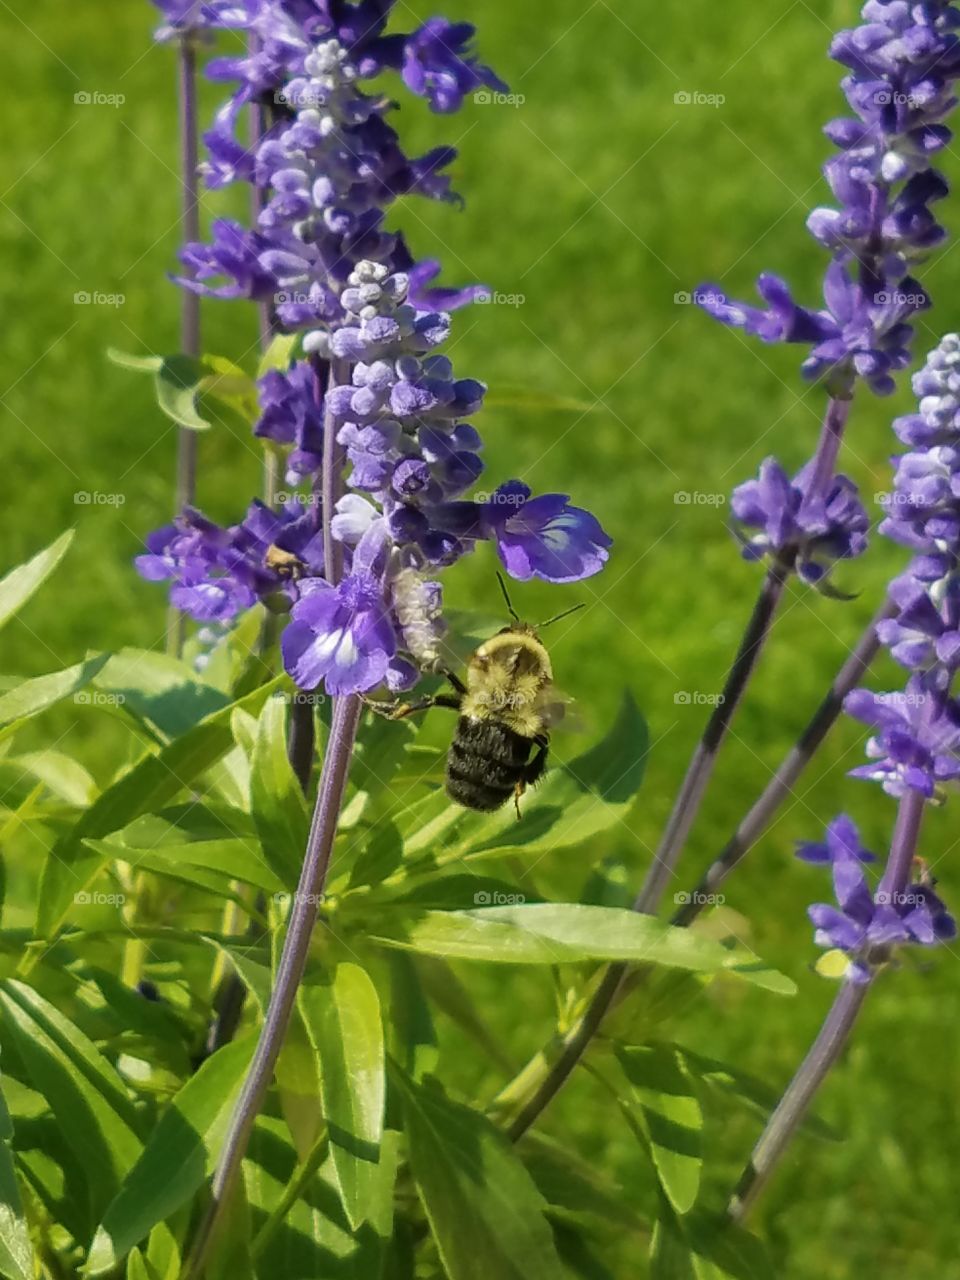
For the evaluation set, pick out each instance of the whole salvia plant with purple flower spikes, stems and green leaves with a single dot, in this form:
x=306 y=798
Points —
x=225 y=1034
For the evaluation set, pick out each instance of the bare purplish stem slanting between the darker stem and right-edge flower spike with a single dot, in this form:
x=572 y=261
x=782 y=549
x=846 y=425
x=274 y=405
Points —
x=787 y=778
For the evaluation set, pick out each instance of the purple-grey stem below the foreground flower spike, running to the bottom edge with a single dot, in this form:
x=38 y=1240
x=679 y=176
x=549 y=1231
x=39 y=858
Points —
x=294 y=959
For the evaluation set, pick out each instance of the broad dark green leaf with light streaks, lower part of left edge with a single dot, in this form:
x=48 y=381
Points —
x=85 y=1094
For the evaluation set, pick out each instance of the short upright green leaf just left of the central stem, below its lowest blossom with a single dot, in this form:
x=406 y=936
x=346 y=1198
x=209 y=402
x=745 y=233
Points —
x=277 y=802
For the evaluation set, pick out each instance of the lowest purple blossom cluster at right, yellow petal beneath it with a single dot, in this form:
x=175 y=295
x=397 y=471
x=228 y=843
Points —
x=867 y=926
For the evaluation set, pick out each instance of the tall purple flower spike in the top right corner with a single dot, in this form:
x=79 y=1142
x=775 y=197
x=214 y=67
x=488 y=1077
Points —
x=904 y=62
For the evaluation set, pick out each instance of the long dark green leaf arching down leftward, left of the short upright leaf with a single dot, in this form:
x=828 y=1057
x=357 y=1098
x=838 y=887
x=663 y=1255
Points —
x=149 y=785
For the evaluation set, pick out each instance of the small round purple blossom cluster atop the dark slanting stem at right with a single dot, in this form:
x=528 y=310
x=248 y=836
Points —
x=788 y=518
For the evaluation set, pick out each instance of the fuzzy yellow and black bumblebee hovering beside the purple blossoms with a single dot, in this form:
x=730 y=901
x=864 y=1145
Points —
x=508 y=707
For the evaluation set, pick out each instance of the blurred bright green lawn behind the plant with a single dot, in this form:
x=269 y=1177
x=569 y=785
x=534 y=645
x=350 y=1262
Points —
x=601 y=202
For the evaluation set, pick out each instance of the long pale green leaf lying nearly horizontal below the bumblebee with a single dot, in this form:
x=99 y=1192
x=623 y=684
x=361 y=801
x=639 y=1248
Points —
x=564 y=934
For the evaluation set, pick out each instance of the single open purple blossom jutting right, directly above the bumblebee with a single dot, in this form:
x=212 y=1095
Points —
x=543 y=537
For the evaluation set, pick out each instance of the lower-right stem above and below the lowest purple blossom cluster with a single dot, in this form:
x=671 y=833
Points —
x=833 y=1037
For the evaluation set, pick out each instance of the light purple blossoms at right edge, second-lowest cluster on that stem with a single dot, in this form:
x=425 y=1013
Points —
x=917 y=744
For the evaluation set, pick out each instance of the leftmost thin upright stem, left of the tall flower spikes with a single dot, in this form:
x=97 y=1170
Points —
x=186 y=487
